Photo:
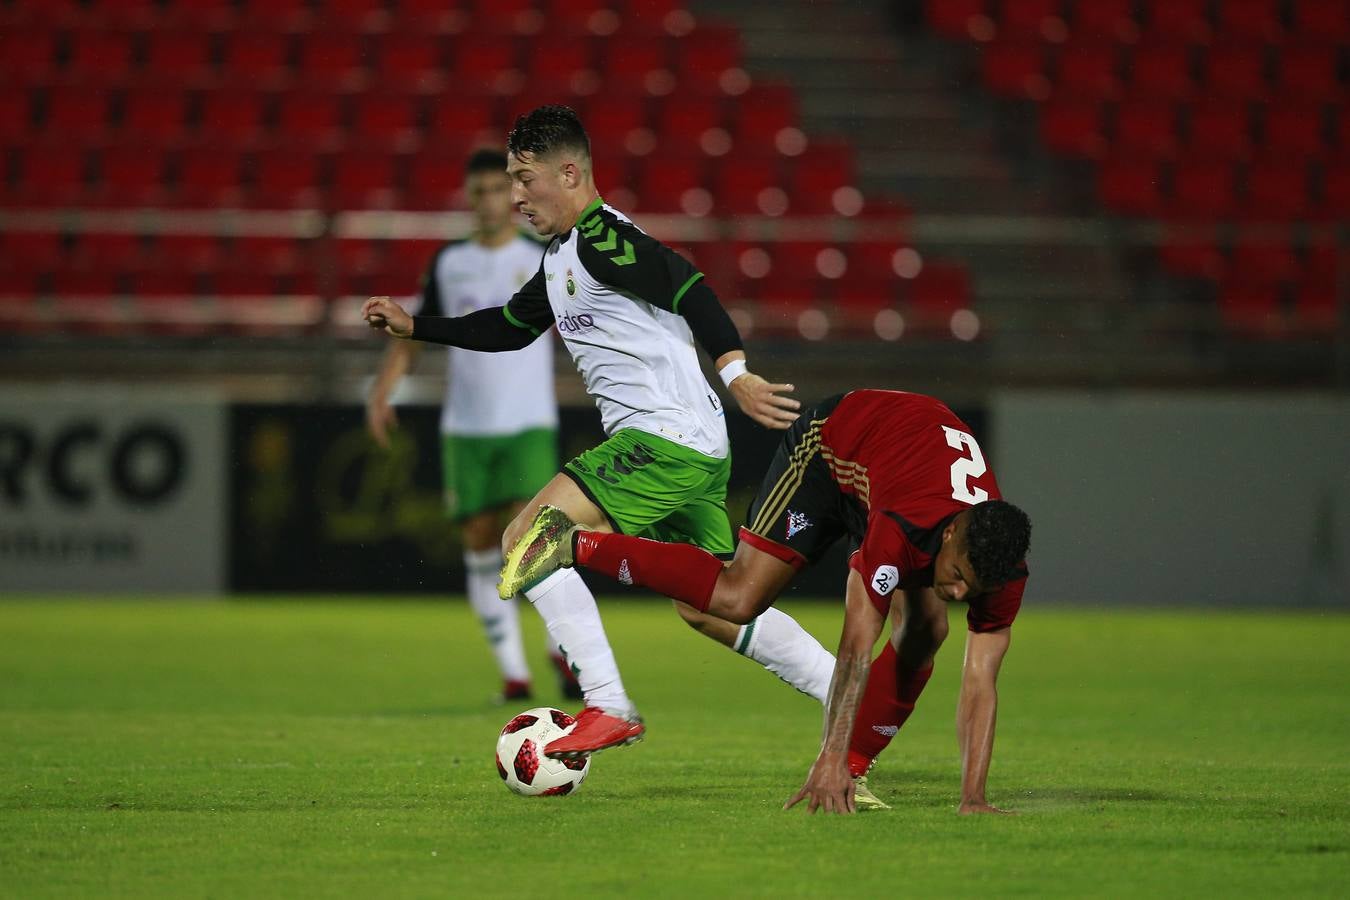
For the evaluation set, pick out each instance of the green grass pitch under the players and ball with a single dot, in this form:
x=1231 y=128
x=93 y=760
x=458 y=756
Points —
x=244 y=750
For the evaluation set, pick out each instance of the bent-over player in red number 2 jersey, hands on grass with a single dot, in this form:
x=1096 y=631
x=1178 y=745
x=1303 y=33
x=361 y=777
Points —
x=905 y=481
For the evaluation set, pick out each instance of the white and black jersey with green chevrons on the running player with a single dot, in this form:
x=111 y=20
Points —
x=615 y=293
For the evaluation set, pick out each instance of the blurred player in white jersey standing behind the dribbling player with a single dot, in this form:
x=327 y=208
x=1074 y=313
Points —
x=500 y=419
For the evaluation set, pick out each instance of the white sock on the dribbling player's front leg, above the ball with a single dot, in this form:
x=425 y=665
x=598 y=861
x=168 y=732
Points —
x=573 y=621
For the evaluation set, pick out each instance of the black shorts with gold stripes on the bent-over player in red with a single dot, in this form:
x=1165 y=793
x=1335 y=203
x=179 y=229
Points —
x=800 y=511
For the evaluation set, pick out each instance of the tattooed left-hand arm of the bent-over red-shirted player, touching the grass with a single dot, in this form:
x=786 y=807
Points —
x=830 y=785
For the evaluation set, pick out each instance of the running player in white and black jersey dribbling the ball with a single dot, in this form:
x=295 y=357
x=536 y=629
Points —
x=630 y=311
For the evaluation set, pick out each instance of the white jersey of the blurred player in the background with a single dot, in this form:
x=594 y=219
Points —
x=489 y=395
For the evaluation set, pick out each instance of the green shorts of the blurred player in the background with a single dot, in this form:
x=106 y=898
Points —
x=488 y=473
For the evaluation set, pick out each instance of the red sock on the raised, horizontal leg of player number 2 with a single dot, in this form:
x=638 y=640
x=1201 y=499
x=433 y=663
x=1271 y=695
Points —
x=680 y=571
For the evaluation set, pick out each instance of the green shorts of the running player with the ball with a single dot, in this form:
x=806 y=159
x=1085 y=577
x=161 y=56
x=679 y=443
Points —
x=653 y=488
